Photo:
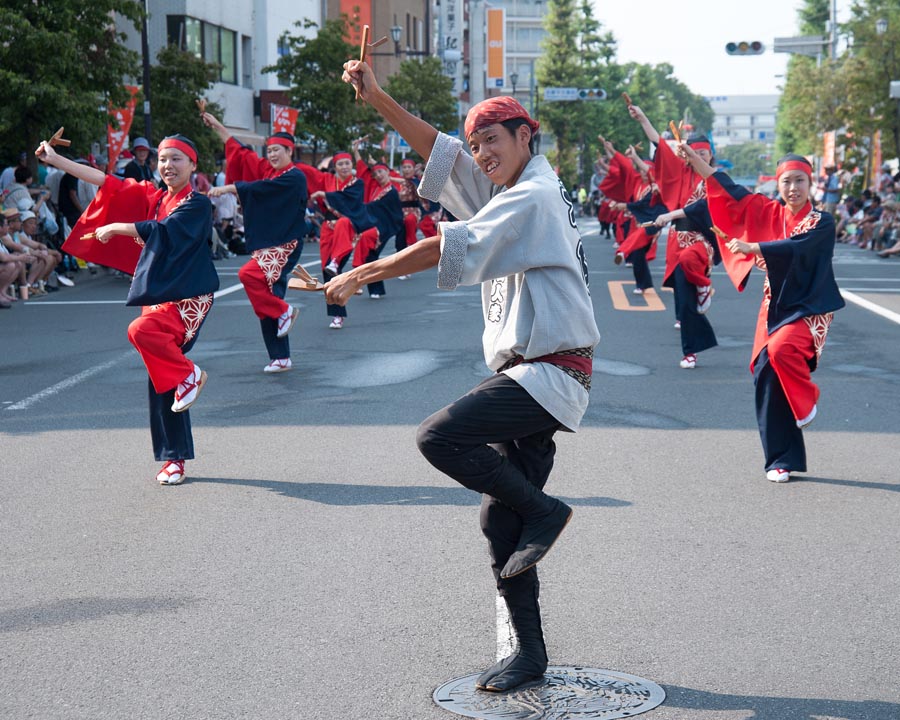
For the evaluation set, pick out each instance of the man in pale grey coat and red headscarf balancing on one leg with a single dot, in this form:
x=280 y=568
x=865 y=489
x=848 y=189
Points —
x=517 y=238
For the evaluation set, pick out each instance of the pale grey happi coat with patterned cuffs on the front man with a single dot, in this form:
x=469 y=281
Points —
x=522 y=244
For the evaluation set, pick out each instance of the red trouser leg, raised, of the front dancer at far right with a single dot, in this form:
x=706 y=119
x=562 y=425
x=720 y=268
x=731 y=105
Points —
x=790 y=349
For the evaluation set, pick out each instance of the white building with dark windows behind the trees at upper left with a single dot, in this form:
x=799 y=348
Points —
x=240 y=35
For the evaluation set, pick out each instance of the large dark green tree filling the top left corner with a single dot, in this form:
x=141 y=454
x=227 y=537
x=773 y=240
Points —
x=61 y=62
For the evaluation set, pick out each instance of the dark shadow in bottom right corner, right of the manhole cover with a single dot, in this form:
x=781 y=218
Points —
x=781 y=708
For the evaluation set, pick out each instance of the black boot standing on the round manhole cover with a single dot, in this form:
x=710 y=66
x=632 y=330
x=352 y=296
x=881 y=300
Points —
x=529 y=661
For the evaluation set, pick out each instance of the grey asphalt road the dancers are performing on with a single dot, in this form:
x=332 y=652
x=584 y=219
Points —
x=314 y=566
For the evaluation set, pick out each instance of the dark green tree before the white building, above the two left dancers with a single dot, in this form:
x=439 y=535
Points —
x=177 y=81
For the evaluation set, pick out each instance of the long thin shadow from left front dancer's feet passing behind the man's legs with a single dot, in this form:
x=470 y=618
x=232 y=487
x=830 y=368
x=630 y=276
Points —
x=346 y=494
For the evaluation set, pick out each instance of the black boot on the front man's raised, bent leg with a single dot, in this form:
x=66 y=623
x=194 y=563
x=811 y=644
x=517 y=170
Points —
x=543 y=520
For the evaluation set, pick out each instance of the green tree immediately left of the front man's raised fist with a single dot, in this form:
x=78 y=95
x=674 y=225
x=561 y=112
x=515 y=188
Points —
x=329 y=117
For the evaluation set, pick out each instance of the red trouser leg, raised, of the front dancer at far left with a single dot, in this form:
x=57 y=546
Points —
x=158 y=335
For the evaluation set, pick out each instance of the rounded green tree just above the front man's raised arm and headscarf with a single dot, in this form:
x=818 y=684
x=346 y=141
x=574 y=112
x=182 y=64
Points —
x=422 y=88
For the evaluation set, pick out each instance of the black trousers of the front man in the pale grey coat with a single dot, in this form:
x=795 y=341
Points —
x=495 y=428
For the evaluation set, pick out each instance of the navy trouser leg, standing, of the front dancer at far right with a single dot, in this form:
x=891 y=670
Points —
x=782 y=440
